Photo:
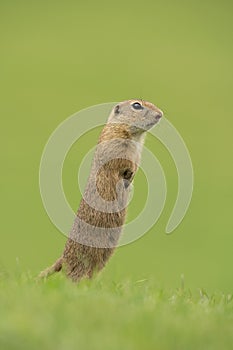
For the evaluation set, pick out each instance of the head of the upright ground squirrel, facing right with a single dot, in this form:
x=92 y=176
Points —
x=139 y=116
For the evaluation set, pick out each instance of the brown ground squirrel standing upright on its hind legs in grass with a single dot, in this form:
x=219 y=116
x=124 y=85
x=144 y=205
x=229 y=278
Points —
x=102 y=210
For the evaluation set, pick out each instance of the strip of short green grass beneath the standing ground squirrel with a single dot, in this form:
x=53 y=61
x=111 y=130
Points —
x=57 y=314
